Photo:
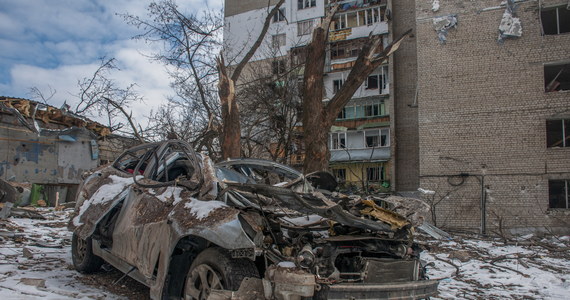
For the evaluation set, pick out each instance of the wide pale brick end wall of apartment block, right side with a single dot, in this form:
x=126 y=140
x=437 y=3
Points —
x=482 y=114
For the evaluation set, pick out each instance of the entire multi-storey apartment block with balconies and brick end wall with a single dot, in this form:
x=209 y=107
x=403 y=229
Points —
x=473 y=108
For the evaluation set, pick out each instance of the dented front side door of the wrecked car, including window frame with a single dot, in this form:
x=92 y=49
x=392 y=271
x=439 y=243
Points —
x=142 y=231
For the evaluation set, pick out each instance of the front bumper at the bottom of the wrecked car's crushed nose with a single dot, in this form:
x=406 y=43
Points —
x=405 y=290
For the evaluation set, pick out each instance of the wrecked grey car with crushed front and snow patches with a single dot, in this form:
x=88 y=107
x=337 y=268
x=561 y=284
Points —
x=247 y=229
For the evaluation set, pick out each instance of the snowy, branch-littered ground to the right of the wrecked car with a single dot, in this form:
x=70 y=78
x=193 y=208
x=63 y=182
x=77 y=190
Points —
x=471 y=267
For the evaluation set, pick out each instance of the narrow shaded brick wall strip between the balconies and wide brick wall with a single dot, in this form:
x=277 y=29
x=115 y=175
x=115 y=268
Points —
x=405 y=114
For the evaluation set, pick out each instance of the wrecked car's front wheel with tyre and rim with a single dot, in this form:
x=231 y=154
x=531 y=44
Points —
x=214 y=268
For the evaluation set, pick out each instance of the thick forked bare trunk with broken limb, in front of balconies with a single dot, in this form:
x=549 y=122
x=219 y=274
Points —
x=318 y=117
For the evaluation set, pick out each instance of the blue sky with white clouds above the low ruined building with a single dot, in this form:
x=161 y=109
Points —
x=54 y=43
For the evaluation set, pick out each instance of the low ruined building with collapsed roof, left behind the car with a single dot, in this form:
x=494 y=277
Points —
x=46 y=150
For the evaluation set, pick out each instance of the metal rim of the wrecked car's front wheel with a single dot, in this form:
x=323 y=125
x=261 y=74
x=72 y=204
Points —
x=202 y=280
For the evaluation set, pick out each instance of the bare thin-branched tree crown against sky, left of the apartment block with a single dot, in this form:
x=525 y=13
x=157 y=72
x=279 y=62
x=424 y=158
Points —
x=189 y=41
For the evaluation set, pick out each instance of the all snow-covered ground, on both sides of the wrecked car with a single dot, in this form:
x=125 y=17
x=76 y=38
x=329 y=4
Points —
x=35 y=262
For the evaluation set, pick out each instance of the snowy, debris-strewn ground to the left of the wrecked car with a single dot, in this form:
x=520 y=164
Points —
x=35 y=263
